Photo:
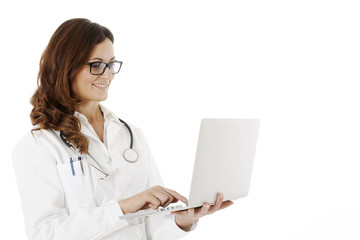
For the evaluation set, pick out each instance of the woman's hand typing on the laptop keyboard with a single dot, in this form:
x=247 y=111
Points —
x=152 y=198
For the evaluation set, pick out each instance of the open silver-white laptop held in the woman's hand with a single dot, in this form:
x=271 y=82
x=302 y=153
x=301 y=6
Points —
x=223 y=163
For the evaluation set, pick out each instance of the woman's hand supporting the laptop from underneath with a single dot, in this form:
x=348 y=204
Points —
x=185 y=219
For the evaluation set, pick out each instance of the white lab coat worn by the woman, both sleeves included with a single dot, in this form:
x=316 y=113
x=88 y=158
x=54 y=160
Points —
x=58 y=205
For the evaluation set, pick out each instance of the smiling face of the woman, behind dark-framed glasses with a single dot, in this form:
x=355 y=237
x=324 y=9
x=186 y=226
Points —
x=90 y=87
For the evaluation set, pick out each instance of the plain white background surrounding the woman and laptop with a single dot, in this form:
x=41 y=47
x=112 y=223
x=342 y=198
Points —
x=293 y=64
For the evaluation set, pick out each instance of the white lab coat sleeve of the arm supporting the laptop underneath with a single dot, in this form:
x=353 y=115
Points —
x=160 y=227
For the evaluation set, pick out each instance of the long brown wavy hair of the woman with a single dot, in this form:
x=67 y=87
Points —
x=54 y=100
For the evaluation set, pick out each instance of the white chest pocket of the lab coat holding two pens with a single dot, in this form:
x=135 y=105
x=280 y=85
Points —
x=76 y=181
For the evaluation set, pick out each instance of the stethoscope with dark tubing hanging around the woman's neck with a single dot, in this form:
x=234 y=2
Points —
x=129 y=154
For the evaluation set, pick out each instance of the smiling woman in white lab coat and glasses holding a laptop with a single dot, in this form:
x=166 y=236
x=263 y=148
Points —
x=74 y=179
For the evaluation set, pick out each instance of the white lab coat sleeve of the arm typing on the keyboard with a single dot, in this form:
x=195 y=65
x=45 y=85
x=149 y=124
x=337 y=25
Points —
x=43 y=199
